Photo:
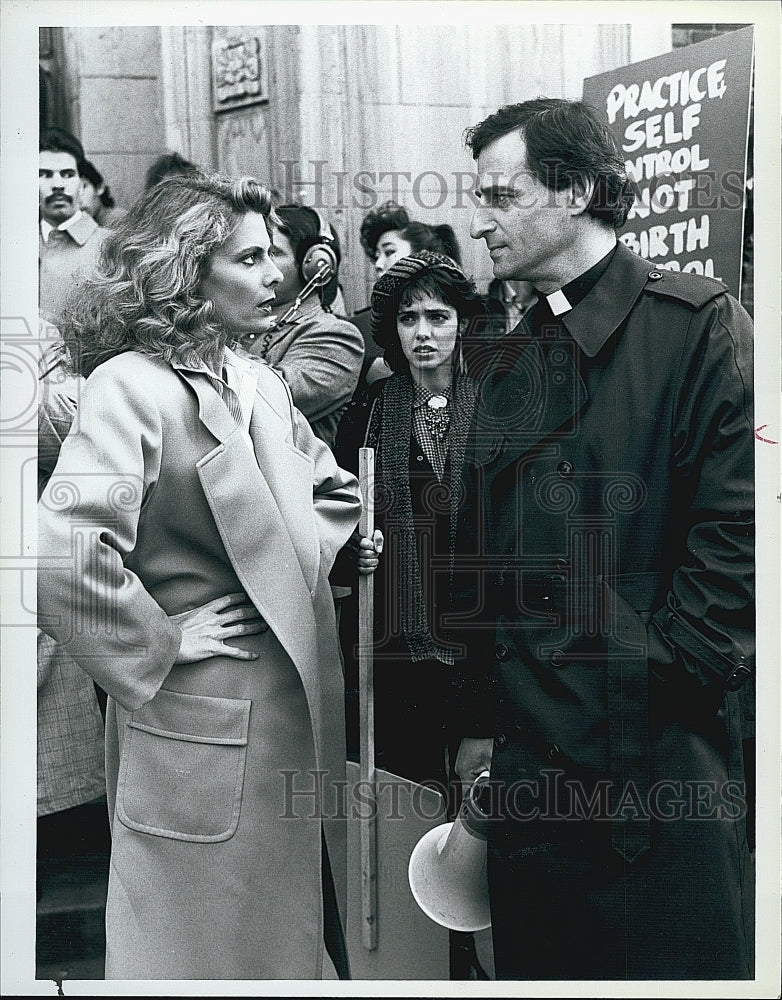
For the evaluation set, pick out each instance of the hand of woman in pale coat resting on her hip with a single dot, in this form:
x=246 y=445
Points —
x=205 y=630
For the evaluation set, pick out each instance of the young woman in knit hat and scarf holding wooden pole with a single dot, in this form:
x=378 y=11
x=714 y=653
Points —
x=417 y=421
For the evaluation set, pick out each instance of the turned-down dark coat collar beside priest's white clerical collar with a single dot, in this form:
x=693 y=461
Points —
x=603 y=310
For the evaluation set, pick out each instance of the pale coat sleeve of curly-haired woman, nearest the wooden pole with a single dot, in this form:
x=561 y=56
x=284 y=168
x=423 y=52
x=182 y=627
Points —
x=336 y=497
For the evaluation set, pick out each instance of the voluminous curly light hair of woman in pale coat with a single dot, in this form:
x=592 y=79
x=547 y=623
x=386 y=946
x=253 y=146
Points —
x=144 y=295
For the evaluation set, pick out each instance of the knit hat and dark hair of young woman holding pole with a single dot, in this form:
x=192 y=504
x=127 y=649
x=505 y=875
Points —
x=409 y=279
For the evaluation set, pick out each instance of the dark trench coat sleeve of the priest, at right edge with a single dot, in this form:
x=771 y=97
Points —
x=709 y=615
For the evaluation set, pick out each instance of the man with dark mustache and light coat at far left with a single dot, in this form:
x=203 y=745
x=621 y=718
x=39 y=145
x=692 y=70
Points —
x=69 y=239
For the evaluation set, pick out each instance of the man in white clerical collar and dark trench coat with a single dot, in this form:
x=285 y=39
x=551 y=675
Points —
x=609 y=627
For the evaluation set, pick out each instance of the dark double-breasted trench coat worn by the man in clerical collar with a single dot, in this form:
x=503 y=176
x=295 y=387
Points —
x=615 y=515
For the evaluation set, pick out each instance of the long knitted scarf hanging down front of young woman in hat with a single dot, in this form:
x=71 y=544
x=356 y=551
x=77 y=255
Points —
x=389 y=431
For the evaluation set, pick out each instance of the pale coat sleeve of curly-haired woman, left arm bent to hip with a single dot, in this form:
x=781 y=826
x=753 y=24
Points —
x=88 y=601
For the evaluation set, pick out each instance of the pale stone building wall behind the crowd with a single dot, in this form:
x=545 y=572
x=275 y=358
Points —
x=356 y=113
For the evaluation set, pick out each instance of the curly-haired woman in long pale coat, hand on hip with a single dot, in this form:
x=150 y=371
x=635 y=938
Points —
x=204 y=516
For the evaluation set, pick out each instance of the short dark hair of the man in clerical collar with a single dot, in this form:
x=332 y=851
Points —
x=566 y=145
